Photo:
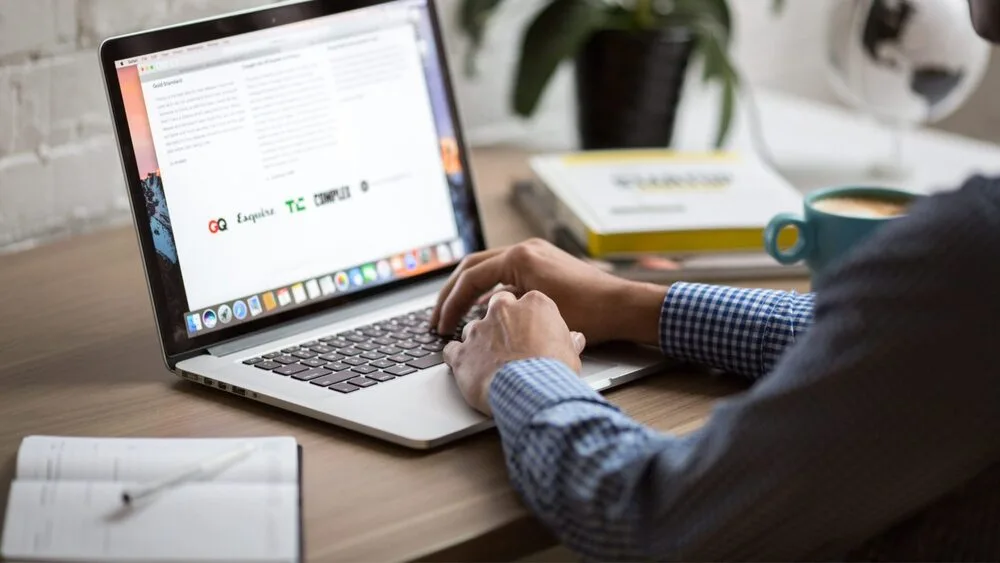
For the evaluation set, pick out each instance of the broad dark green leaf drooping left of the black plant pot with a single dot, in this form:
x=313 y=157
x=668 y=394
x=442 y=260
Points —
x=556 y=34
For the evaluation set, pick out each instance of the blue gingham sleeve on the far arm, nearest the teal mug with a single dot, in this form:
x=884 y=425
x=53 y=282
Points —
x=742 y=331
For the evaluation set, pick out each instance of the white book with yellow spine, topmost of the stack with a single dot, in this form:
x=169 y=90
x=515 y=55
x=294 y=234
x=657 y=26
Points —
x=622 y=202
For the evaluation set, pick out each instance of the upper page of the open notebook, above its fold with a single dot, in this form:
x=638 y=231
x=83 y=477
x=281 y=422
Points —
x=125 y=460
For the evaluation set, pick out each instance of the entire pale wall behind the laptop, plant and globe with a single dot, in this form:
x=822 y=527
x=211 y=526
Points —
x=60 y=174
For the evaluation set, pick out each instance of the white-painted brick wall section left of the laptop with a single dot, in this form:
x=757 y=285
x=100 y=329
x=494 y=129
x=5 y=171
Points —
x=59 y=170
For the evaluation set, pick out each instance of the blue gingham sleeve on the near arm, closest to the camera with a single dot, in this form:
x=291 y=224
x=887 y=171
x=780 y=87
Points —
x=573 y=457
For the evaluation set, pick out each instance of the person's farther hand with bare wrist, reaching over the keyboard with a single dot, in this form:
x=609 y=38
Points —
x=601 y=306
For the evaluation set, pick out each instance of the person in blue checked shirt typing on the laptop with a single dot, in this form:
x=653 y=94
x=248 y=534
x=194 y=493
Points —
x=870 y=430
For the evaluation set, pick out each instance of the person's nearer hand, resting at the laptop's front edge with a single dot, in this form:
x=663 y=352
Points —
x=513 y=329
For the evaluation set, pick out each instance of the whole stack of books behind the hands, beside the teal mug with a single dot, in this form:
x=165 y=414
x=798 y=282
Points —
x=659 y=215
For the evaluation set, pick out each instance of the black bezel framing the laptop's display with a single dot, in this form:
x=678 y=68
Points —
x=153 y=41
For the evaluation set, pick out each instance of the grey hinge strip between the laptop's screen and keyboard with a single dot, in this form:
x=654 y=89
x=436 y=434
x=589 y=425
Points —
x=339 y=314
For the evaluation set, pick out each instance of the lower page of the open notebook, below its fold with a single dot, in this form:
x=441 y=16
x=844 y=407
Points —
x=209 y=522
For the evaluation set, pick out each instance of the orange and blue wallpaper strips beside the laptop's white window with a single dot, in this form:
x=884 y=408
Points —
x=156 y=202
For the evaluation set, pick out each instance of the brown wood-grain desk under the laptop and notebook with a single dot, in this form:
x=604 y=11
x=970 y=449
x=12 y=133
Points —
x=79 y=356
